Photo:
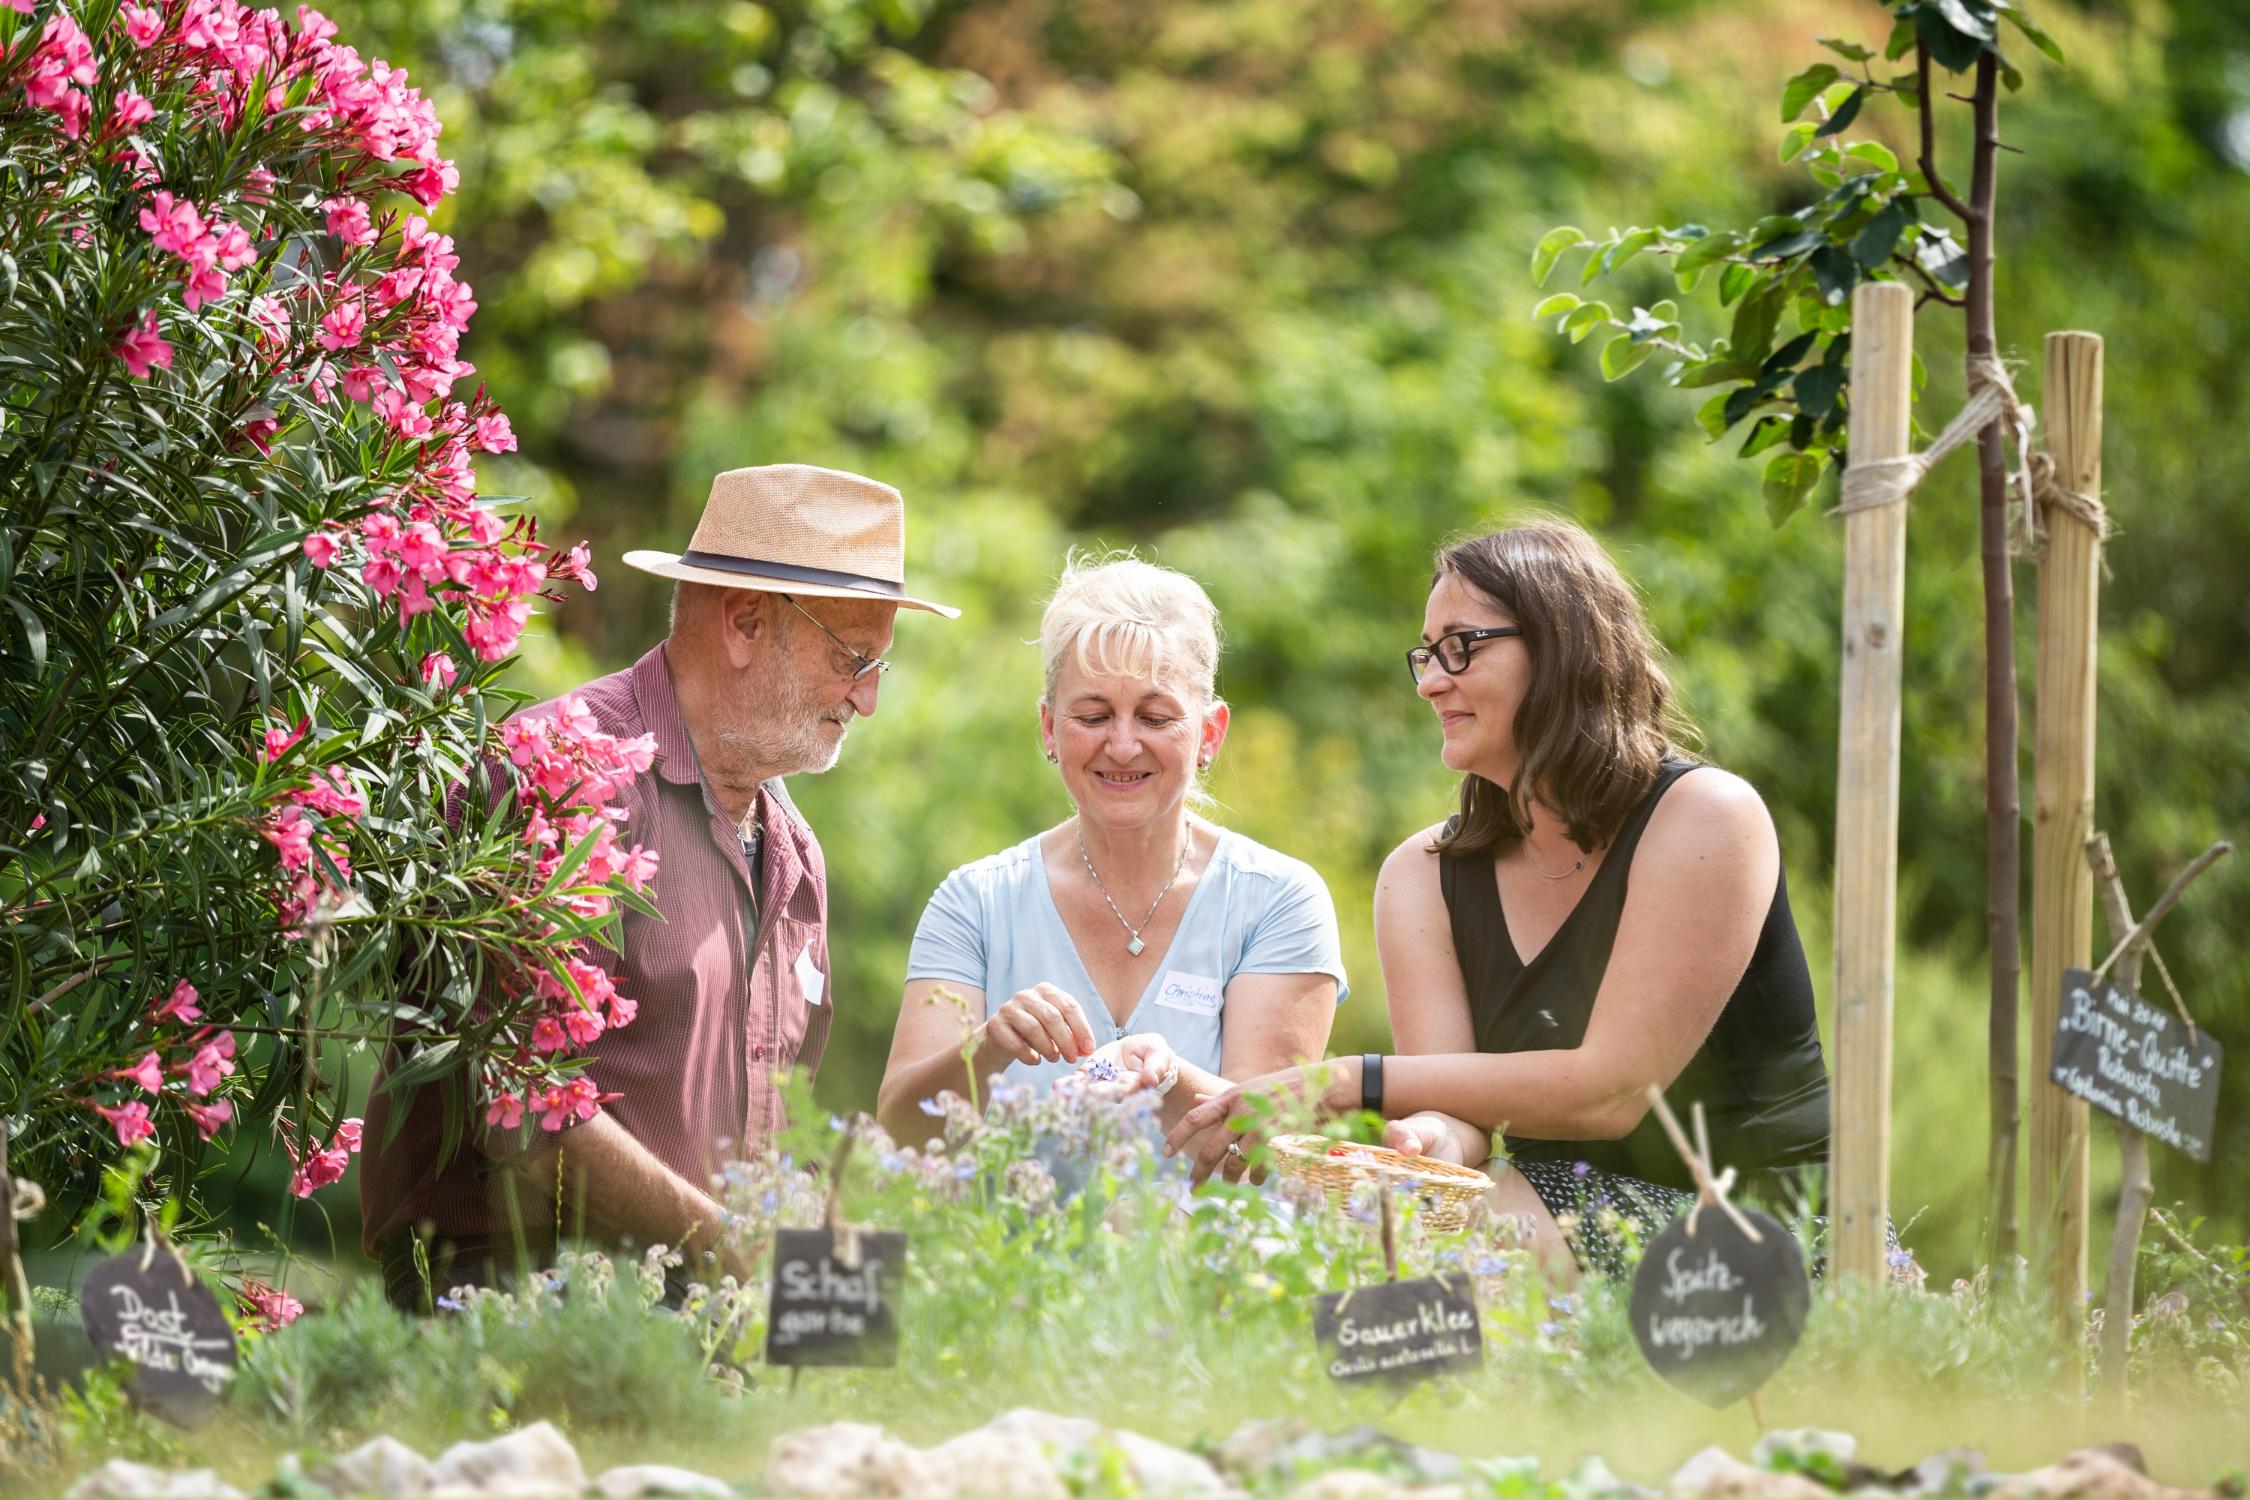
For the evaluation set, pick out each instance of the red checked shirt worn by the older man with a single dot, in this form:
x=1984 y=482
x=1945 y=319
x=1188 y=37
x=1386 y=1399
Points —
x=730 y=988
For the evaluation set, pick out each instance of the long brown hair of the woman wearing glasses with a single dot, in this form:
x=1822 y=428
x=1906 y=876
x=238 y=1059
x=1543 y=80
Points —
x=1599 y=719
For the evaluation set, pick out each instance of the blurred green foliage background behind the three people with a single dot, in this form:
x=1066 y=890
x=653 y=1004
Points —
x=1243 y=284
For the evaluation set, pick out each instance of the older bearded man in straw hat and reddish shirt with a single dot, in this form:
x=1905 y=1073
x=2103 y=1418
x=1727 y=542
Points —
x=782 y=611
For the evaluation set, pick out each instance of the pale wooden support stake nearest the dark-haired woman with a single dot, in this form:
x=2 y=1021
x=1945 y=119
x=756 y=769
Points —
x=1869 y=781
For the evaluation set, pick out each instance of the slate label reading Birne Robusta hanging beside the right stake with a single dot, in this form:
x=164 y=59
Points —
x=2134 y=1060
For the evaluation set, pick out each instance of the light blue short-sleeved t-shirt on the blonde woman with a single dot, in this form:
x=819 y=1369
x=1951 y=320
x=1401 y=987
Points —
x=1254 y=912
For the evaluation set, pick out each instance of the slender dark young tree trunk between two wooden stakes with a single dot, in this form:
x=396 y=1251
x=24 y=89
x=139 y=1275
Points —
x=2004 y=795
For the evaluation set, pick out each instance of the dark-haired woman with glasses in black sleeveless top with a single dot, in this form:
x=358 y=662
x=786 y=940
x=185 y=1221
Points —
x=1601 y=916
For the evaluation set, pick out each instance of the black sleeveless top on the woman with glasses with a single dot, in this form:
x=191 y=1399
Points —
x=1758 y=1074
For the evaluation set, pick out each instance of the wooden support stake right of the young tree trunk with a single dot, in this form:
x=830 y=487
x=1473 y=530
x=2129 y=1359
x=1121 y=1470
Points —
x=2064 y=815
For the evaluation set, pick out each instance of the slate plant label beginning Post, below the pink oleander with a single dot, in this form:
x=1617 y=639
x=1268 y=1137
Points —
x=150 y=1310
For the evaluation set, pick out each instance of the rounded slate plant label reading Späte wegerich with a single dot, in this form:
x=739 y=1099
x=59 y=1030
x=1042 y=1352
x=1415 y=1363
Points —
x=1718 y=1312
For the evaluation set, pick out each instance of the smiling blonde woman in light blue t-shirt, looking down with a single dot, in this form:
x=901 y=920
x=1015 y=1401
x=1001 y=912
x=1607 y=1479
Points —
x=1135 y=925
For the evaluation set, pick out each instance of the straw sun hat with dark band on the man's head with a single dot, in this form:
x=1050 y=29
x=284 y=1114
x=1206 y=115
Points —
x=798 y=530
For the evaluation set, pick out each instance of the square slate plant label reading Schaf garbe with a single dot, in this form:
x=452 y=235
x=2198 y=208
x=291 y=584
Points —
x=829 y=1312
